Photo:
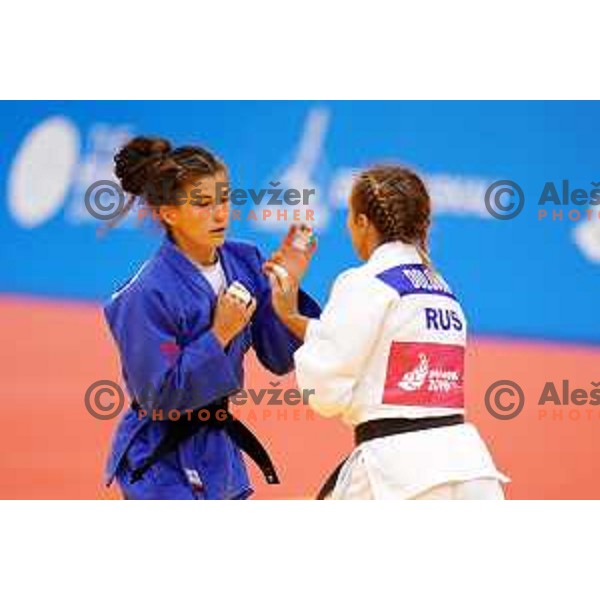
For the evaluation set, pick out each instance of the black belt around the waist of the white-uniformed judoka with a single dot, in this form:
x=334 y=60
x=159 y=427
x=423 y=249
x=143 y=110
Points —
x=378 y=428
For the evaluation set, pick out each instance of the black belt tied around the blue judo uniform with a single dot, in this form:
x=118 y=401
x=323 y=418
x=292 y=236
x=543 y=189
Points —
x=179 y=431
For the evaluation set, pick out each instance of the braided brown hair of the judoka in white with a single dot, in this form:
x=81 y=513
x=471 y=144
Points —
x=397 y=203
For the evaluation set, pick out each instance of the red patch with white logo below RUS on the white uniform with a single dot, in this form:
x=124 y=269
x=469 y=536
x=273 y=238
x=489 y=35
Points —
x=425 y=374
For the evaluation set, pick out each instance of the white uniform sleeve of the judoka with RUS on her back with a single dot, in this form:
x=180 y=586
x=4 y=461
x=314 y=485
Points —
x=338 y=344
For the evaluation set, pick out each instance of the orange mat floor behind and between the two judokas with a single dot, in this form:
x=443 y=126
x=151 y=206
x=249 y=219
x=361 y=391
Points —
x=51 y=447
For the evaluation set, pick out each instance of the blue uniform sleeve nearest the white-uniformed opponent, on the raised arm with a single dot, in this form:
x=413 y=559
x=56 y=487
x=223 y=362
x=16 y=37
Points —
x=273 y=342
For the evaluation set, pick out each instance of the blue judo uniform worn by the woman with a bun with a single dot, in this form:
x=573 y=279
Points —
x=161 y=321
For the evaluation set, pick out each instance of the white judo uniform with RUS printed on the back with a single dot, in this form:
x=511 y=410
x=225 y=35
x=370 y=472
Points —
x=390 y=343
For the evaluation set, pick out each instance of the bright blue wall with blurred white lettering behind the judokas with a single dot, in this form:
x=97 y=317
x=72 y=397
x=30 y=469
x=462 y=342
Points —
x=521 y=277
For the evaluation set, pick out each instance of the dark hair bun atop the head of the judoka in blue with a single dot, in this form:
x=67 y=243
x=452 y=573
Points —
x=134 y=160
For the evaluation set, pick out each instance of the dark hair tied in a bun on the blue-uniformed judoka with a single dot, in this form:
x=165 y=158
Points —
x=150 y=169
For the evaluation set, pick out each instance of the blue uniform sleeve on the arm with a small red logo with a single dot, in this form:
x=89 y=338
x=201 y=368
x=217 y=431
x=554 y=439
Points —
x=144 y=325
